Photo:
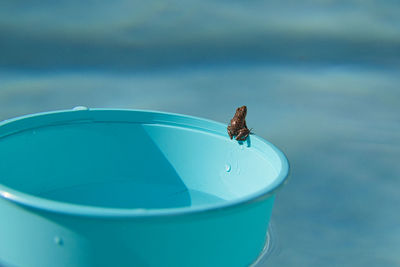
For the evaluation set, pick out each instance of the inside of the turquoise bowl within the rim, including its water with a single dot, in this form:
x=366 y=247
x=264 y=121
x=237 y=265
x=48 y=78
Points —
x=131 y=165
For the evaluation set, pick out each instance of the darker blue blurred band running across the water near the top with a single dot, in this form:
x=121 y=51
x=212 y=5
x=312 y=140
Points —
x=48 y=52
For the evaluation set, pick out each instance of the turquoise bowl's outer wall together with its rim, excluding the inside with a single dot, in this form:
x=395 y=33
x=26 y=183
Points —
x=35 y=233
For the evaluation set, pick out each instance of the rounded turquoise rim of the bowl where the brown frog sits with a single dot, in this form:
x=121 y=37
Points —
x=23 y=123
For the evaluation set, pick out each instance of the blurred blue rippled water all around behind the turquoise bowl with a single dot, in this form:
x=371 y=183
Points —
x=321 y=79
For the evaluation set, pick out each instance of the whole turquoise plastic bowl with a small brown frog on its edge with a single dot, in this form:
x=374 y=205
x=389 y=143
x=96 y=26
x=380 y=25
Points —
x=132 y=188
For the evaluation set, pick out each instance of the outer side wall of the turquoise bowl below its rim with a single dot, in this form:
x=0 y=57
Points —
x=31 y=237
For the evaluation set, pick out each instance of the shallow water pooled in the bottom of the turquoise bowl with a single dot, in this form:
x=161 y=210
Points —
x=130 y=195
